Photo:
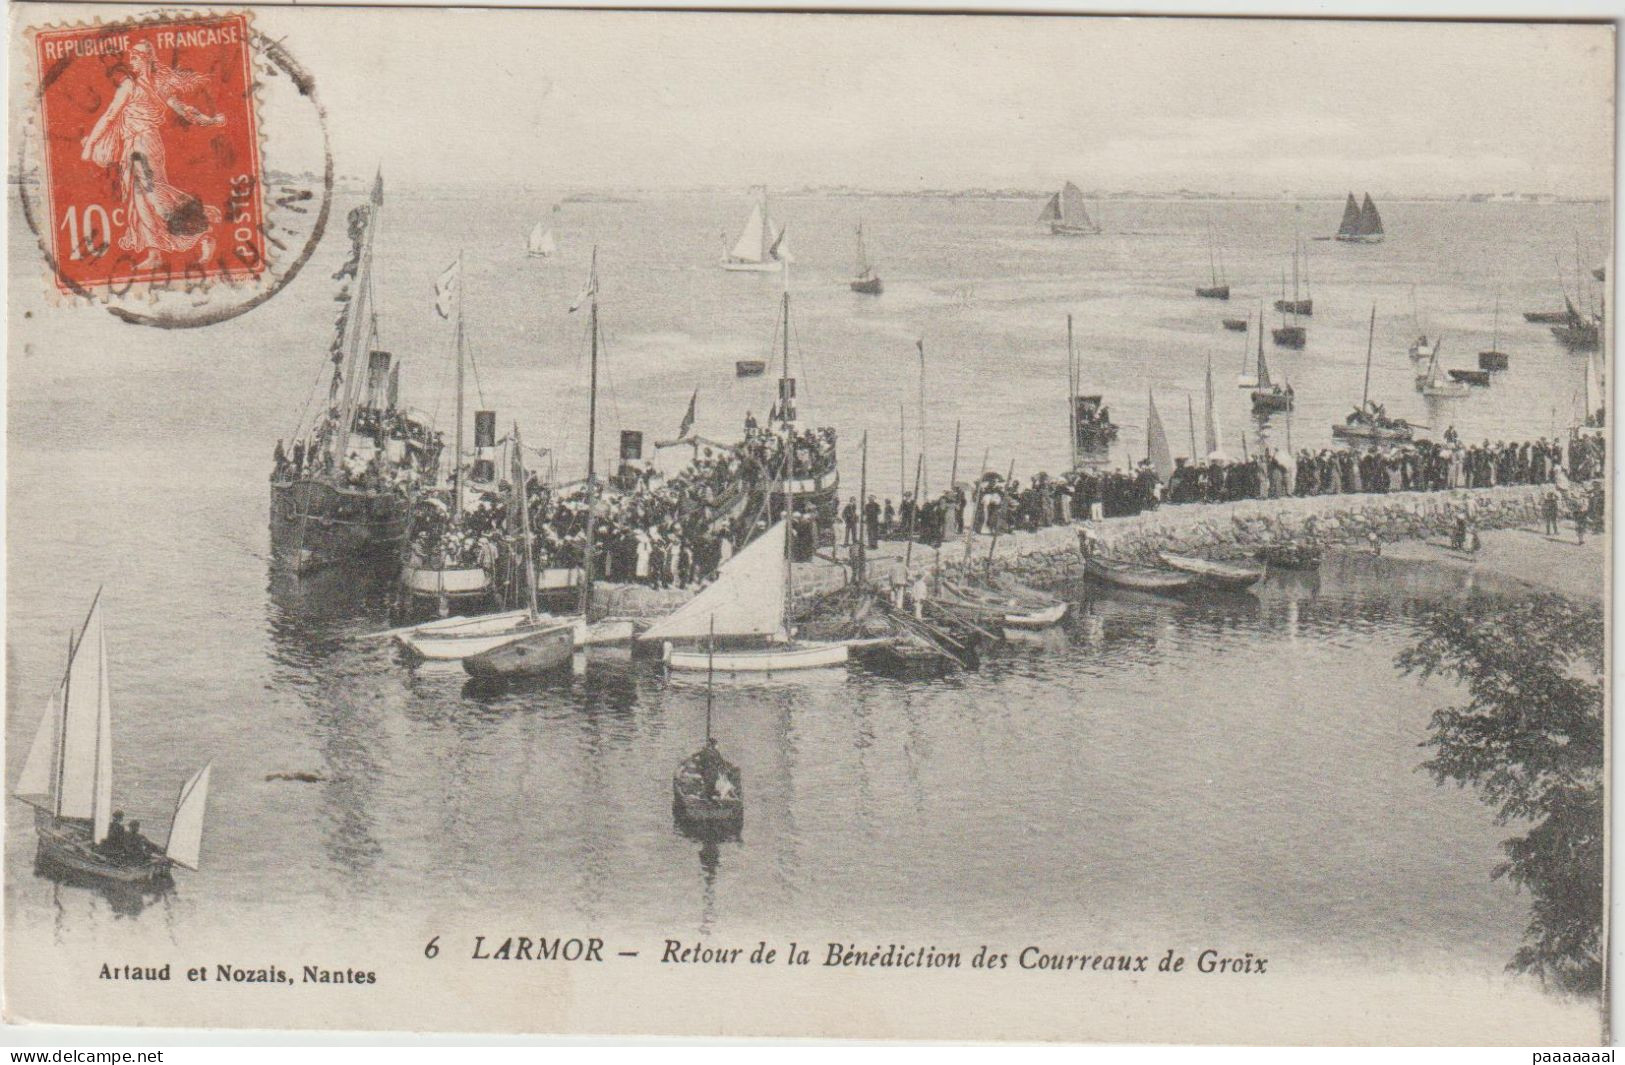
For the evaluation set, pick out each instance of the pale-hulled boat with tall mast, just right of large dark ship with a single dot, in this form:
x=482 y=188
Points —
x=438 y=575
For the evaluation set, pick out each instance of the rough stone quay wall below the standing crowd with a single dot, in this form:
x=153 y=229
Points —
x=1223 y=531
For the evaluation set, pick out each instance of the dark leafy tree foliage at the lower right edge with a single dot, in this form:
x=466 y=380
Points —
x=1532 y=744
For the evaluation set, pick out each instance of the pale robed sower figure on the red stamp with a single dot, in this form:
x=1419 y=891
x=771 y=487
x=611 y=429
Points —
x=129 y=136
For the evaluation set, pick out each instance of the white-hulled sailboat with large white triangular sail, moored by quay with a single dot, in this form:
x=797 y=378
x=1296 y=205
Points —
x=750 y=599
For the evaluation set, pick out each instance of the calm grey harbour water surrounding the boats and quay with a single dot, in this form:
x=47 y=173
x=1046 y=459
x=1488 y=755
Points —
x=1239 y=770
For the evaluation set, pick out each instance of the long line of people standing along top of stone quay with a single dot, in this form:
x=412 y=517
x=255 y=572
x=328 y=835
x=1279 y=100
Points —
x=1003 y=505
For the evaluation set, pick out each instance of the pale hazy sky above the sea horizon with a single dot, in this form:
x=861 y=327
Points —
x=581 y=100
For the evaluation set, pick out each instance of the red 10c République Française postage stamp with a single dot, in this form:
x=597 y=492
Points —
x=152 y=157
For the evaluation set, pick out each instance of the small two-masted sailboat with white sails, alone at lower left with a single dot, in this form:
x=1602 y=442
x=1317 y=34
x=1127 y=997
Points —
x=67 y=780
